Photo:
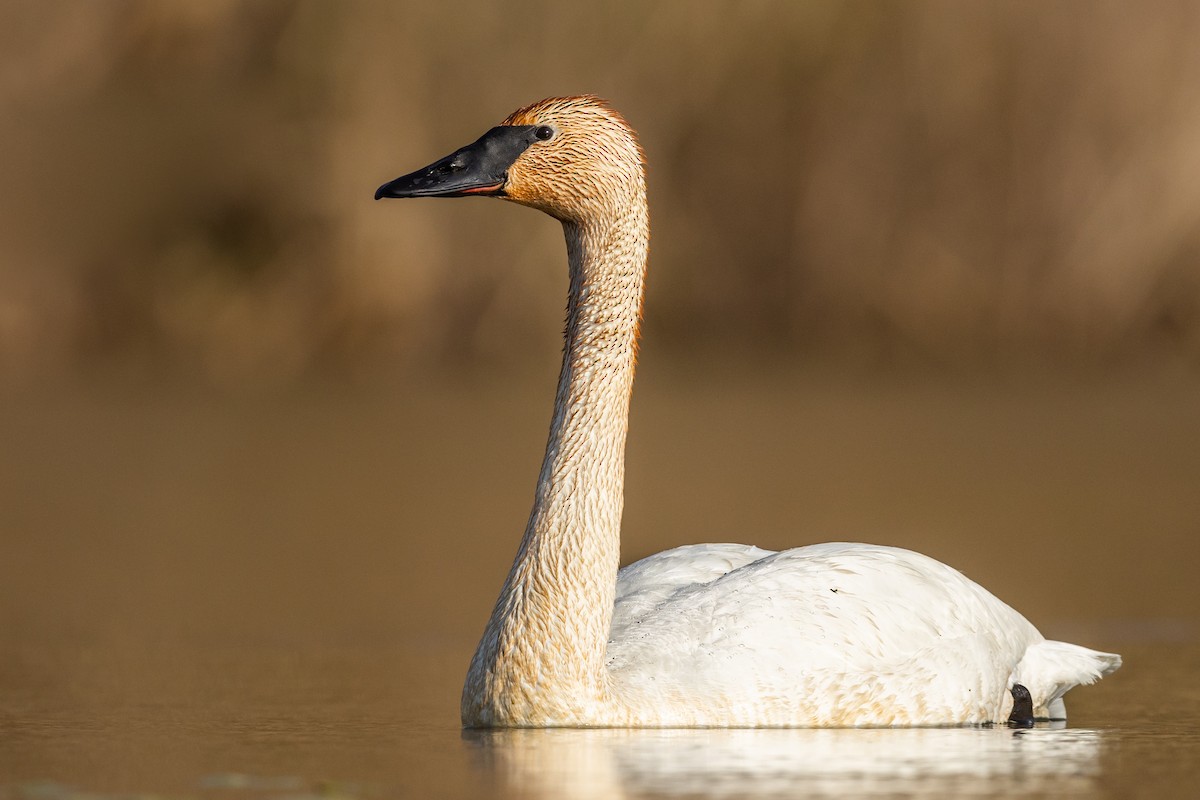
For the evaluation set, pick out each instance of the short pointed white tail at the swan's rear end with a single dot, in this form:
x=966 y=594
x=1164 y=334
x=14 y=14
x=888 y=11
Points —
x=1051 y=670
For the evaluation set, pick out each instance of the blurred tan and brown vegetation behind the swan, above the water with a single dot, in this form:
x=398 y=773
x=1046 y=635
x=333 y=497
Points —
x=188 y=183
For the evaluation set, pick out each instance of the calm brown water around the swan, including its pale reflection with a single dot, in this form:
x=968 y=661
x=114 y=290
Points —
x=275 y=597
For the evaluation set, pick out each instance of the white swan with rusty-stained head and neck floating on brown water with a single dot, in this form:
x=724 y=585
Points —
x=830 y=635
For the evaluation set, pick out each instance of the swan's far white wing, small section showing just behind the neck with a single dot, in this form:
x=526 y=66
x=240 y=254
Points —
x=645 y=586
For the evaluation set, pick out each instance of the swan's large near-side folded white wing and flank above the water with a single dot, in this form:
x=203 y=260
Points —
x=824 y=635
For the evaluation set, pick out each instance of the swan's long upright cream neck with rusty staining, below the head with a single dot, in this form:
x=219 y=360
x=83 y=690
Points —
x=542 y=660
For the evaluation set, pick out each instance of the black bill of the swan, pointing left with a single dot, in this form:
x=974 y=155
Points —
x=479 y=169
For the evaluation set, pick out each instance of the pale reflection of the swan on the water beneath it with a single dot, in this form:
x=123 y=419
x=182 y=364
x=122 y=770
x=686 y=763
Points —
x=927 y=762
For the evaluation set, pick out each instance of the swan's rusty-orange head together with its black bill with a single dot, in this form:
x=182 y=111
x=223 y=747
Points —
x=573 y=158
